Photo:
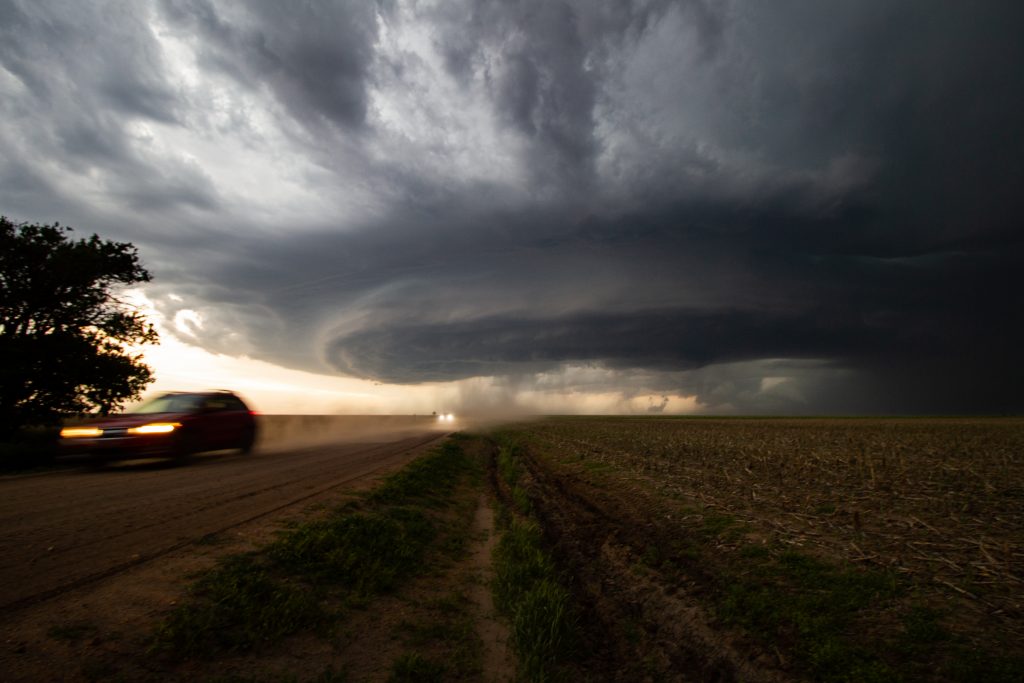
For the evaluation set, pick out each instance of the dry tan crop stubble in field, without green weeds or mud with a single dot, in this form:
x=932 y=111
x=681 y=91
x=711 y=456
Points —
x=937 y=502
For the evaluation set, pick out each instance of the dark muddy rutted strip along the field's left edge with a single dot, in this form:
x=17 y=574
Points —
x=601 y=537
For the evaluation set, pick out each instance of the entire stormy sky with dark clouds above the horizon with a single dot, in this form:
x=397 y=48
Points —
x=544 y=206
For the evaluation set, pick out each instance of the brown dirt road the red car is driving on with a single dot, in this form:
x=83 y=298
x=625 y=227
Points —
x=63 y=531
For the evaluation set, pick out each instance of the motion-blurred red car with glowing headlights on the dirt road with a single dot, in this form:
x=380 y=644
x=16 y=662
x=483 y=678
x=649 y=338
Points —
x=175 y=425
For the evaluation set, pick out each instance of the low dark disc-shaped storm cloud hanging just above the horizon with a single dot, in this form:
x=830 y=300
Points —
x=914 y=325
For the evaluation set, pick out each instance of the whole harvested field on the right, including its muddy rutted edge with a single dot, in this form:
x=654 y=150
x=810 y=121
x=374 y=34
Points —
x=830 y=549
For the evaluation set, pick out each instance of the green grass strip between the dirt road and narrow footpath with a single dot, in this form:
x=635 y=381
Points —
x=359 y=550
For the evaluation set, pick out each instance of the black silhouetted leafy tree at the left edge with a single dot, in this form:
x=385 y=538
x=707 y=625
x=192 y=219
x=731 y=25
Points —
x=68 y=345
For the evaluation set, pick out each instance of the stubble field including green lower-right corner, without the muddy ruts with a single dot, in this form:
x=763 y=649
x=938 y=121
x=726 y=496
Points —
x=913 y=530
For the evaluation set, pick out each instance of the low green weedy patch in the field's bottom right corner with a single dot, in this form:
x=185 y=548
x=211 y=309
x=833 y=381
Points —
x=818 y=613
